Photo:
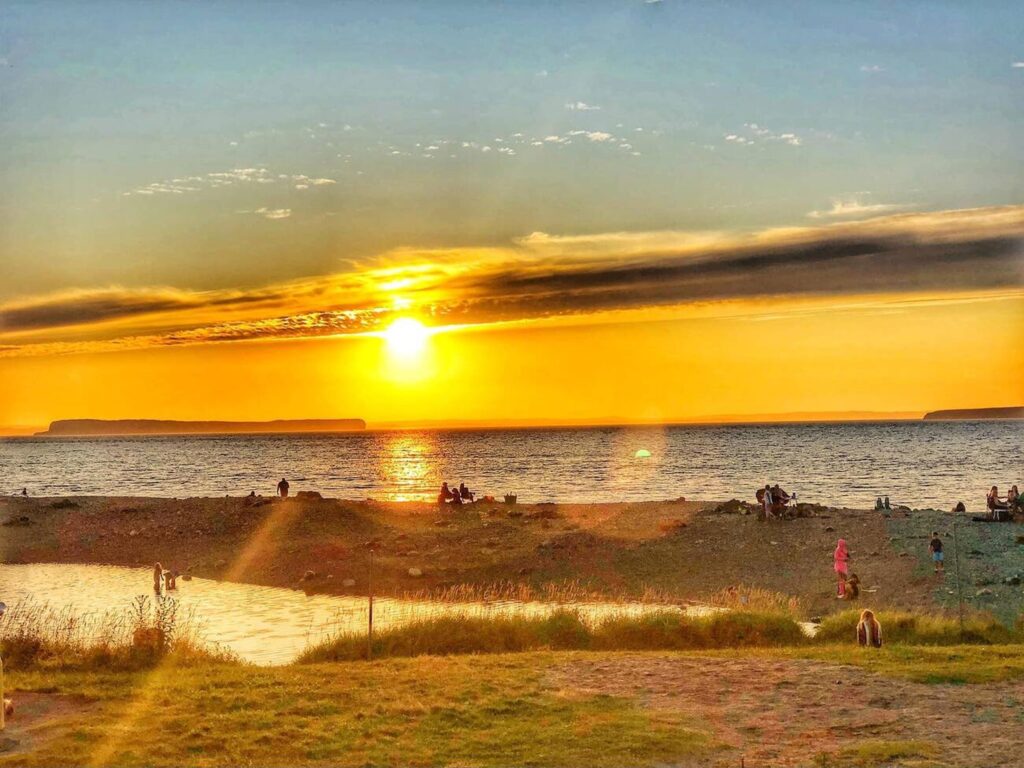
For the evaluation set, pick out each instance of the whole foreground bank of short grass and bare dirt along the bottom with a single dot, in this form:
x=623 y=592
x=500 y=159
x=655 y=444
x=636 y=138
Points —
x=542 y=709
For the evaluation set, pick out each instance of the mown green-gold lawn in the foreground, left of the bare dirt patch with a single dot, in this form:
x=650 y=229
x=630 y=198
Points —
x=491 y=711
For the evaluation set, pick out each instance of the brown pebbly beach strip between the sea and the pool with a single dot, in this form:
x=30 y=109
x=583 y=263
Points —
x=677 y=551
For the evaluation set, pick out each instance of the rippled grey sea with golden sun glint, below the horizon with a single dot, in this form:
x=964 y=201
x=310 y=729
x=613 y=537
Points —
x=915 y=463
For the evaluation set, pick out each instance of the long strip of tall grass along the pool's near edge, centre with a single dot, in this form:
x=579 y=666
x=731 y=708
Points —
x=565 y=631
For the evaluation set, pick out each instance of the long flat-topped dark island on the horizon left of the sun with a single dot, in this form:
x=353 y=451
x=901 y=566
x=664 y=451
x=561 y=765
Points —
x=156 y=426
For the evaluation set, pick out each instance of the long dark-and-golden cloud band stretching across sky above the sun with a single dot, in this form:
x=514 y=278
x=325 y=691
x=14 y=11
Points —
x=544 y=276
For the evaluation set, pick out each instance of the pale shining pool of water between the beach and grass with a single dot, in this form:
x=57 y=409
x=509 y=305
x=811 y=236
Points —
x=264 y=625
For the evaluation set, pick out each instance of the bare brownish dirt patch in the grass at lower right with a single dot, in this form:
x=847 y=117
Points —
x=787 y=713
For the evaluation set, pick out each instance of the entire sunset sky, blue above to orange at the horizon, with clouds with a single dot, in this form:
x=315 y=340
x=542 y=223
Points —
x=598 y=211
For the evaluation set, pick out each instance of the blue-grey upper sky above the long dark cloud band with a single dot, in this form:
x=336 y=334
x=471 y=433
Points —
x=563 y=118
